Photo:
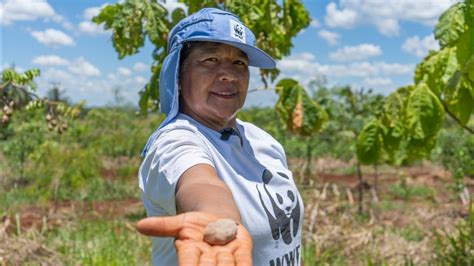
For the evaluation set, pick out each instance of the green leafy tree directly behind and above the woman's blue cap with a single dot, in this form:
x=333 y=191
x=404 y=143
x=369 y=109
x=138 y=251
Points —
x=273 y=22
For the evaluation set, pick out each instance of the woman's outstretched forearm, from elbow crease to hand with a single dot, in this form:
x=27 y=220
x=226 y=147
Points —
x=215 y=198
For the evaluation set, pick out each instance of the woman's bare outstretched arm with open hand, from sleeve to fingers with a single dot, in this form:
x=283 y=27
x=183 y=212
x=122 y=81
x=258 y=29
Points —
x=201 y=198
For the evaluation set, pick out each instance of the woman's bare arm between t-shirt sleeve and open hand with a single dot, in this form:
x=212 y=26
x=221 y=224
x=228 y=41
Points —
x=200 y=189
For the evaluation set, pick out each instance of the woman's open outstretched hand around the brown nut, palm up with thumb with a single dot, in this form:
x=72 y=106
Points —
x=188 y=229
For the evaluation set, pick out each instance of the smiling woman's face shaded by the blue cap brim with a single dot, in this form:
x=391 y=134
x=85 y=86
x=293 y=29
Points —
x=214 y=82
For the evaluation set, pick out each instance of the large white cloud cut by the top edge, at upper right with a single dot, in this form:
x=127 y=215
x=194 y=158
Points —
x=384 y=15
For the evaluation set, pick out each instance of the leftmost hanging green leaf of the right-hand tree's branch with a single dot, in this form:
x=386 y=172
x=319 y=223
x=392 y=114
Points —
x=369 y=143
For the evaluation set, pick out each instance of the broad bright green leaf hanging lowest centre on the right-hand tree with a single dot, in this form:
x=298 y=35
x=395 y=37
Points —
x=425 y=113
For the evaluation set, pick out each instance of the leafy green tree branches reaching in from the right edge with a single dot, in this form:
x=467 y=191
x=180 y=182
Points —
x=411 y=118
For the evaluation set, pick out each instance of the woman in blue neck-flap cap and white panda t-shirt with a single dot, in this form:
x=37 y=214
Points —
x=203 y=164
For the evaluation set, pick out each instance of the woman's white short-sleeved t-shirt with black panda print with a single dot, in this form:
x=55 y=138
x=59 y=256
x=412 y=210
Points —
x=253 y=165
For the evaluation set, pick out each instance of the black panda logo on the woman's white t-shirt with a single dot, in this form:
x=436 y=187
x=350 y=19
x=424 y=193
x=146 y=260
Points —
x=285 y=220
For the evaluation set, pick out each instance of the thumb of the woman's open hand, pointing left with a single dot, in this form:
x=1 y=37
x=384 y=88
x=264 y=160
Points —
x=168 y=226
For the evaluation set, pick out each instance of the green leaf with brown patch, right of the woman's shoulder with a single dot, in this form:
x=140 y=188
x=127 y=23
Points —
x=300 y=113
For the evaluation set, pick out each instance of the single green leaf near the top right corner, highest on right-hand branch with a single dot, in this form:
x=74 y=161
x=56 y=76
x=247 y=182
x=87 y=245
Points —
x=450 y=26
